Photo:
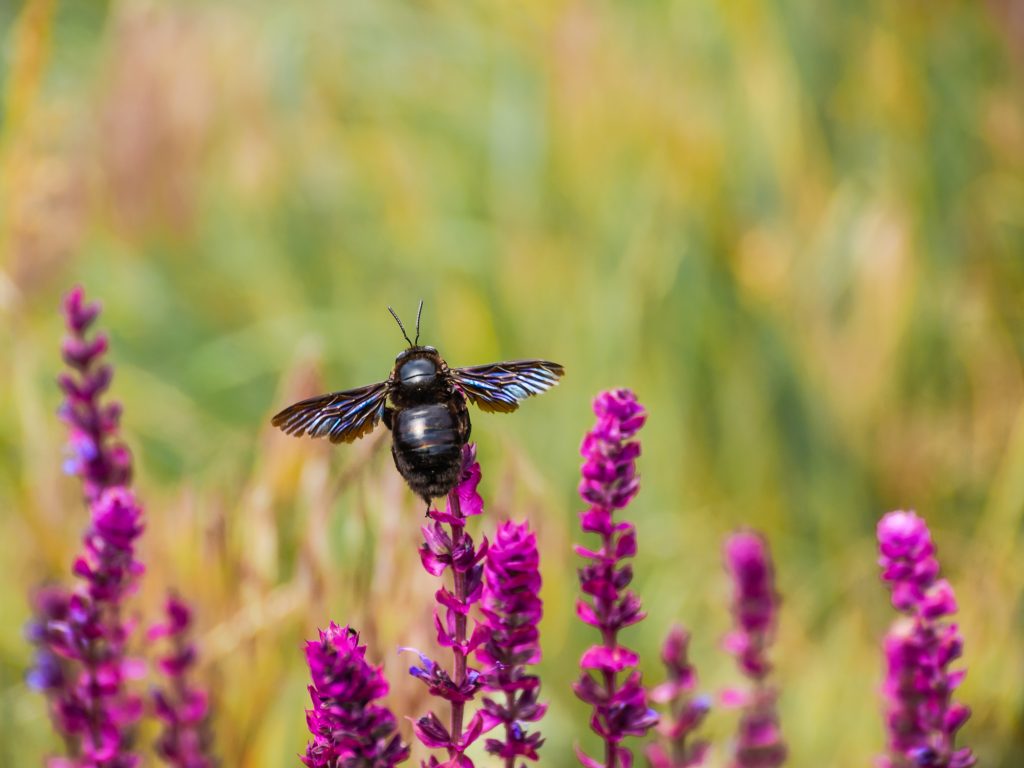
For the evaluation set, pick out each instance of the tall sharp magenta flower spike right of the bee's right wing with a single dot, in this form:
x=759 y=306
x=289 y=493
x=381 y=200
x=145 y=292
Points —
x=610 y=483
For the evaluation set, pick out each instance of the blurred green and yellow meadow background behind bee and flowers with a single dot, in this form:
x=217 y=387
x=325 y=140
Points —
x=795 y=229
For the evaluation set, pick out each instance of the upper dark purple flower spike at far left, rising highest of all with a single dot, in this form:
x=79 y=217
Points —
x=97 y=454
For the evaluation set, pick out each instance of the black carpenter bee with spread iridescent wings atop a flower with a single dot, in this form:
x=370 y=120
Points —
x=423 y=403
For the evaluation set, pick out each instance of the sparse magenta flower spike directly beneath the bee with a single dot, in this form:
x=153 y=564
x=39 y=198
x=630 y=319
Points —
x=453 y=548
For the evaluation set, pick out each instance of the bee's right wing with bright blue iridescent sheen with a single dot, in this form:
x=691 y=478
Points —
x=500 y=387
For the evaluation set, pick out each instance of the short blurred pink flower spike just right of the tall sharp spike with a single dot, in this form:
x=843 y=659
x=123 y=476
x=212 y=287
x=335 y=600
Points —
x=687 y=711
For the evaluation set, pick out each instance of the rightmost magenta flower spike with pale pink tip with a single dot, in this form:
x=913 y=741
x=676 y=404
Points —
x=922 y=718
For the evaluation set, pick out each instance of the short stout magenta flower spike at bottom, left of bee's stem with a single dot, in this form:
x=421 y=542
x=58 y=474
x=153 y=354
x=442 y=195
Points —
x=350 y=729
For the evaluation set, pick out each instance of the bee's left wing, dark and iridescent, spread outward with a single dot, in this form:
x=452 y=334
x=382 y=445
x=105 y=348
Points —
x=339 y=416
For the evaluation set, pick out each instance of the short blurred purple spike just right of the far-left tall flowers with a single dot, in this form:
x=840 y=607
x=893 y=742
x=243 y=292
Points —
x=182 y=708
